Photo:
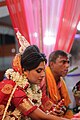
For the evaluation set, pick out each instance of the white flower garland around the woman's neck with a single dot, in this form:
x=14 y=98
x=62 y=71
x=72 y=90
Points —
x=33 y=91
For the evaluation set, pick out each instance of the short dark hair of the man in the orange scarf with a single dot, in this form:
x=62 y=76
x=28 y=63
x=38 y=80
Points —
x=55 y=54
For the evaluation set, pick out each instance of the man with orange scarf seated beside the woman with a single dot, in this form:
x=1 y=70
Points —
x=56 y=87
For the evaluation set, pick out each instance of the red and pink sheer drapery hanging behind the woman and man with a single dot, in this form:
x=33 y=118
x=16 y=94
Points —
x=50 y=24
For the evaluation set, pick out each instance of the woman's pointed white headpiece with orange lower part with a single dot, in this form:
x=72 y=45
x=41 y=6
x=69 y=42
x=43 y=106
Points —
x=17 y=59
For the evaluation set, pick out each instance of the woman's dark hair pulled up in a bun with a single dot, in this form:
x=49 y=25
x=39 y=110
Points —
x=32 y=57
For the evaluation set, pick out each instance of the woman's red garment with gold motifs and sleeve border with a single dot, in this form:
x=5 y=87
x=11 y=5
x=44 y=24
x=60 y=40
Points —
x=6 y=87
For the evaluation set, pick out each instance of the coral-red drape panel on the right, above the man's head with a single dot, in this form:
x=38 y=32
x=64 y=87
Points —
x=67 y=25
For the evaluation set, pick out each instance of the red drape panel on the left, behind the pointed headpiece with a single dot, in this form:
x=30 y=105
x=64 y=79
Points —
x=17 y=14
